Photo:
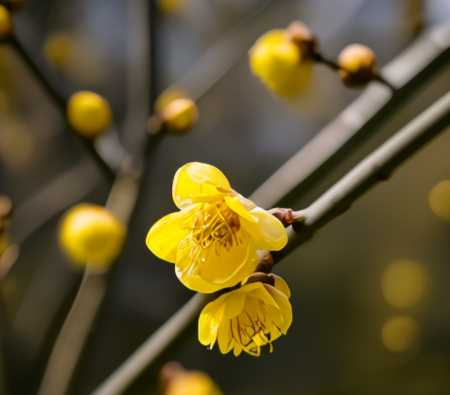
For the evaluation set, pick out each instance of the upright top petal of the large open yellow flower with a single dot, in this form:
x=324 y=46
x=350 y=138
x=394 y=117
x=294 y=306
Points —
x=198 y=182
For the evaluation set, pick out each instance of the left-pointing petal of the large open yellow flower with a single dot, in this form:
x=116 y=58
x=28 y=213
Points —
x=165 y=235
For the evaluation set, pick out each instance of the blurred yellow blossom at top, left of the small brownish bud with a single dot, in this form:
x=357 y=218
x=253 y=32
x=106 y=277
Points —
x=278 y=62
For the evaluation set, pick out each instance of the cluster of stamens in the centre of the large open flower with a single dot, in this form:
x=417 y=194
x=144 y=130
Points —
x=215 y=223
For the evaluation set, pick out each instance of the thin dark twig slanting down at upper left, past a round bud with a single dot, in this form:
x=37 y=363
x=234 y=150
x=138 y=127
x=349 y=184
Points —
x=57 y=93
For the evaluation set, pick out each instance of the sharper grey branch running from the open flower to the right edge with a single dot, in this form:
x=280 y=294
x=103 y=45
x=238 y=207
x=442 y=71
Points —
x=377 y=167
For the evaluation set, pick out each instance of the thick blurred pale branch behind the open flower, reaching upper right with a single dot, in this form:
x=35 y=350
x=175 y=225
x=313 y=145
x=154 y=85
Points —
x=406 y=72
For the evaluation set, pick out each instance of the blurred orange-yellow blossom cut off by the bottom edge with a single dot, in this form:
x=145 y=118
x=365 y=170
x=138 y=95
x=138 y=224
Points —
x=192 y=383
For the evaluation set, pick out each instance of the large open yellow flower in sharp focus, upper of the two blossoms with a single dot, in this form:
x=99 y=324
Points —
x=213 y=240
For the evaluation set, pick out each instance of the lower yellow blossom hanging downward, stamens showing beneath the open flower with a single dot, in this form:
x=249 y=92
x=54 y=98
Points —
x=247 y=318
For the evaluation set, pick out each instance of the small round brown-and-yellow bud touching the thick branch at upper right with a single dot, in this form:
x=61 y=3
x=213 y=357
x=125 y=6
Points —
x=357 y=65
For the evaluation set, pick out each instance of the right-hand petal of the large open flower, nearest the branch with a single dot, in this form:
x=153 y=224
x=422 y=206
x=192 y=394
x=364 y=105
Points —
x=268 y=233
